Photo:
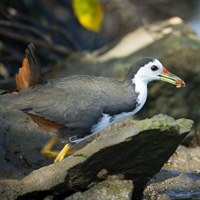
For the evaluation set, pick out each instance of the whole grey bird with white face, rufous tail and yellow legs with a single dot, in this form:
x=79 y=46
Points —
x=77 y=107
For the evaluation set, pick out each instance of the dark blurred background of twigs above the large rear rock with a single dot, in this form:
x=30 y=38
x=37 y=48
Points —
x=53 y=28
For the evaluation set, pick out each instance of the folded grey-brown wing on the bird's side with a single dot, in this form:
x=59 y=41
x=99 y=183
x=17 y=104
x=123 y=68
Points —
x=68 y=104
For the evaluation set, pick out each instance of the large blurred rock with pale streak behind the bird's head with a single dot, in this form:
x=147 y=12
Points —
x=172 y=42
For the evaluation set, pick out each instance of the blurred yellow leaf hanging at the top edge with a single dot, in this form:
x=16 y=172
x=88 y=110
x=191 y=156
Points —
x=89 y=13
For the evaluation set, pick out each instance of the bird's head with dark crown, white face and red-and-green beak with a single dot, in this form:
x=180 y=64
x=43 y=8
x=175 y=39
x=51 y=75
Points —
x=150 y=69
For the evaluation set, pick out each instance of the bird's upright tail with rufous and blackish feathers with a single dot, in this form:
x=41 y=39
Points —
x=28 y=76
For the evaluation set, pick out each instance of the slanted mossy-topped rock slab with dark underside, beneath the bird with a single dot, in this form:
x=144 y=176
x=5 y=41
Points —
x=135 y=150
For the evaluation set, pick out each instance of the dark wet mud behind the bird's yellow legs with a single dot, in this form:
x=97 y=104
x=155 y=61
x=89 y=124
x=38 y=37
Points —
x=20 y=143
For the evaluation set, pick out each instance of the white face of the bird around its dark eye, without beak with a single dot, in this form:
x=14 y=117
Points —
x=149 y=72
